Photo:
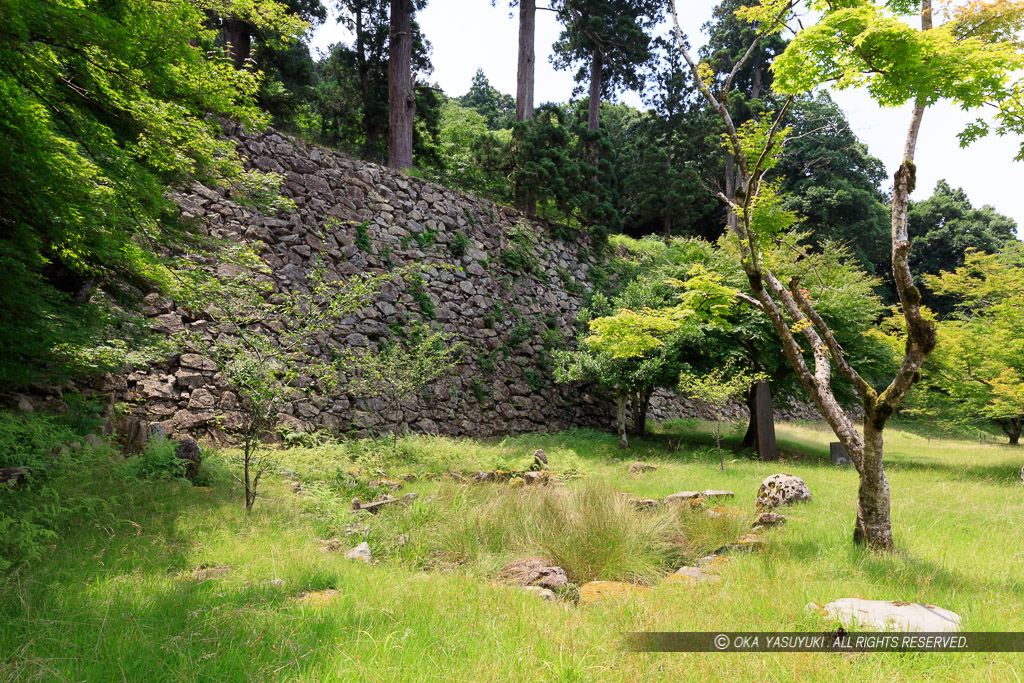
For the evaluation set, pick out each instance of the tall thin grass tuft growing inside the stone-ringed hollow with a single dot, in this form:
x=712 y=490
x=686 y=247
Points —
x=592 y=533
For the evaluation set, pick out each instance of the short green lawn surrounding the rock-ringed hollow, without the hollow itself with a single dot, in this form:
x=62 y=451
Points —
x=109 y=603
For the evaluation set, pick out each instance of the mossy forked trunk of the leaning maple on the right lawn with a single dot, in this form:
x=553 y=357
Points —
x=786 y=306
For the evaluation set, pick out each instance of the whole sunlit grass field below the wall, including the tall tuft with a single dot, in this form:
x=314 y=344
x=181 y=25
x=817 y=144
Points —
x=118 y=599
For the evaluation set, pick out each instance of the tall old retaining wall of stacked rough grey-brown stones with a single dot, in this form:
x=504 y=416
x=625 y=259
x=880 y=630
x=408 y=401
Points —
x=499 y=389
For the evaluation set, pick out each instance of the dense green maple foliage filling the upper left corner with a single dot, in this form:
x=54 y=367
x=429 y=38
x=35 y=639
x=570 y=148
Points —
x=105 y=106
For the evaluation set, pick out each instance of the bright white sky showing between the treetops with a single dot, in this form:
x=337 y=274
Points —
x=471 y=34
